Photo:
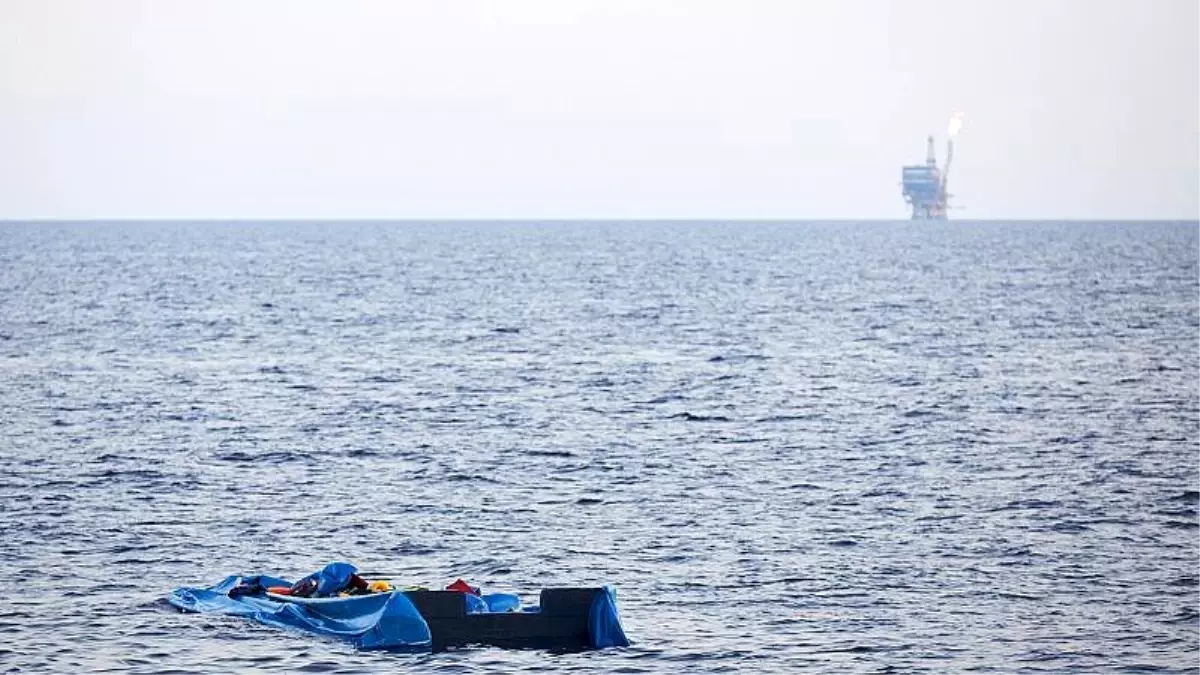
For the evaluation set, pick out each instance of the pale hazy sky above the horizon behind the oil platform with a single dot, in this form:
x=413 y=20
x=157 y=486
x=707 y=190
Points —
x=608 y=109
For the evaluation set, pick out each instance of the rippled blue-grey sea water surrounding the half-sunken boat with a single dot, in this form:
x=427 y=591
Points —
x=790 y=447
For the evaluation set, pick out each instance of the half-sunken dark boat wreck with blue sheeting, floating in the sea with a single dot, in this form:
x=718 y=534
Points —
x=415 y=619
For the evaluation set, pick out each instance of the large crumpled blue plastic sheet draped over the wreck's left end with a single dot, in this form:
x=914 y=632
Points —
x=375 y=622
